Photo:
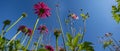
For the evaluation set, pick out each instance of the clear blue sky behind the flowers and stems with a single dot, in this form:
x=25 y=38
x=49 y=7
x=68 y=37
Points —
x=98 y=24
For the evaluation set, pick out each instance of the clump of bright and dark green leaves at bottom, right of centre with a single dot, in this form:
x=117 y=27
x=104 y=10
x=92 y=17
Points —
x=73 y=43
